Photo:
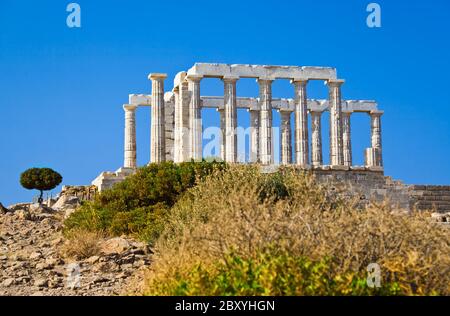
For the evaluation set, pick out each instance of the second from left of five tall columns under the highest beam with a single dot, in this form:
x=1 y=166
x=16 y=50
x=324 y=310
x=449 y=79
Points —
x=230 y=119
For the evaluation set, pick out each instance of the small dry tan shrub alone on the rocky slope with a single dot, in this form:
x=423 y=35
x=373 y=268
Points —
x=82 y=244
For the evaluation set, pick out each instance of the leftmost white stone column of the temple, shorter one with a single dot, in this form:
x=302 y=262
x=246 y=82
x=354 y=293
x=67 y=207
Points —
x=130 y=136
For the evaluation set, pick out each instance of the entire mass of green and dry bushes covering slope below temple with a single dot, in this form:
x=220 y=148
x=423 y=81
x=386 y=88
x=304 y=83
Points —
x=241 y=232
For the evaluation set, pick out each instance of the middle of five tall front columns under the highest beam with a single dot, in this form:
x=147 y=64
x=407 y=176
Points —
x=265 y=120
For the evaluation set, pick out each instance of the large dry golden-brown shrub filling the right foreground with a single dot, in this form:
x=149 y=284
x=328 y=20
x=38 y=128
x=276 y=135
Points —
x=225 y=213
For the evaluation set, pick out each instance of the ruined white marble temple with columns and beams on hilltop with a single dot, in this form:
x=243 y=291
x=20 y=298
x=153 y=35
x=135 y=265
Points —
x=176 y=124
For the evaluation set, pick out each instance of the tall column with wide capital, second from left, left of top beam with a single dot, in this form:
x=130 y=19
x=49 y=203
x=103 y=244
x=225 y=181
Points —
x=158 y=141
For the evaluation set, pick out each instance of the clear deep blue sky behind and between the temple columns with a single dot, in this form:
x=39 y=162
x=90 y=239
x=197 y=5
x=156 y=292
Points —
x=62 y=90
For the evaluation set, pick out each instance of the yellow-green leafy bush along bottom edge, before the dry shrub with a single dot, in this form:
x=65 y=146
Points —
x=269 y=274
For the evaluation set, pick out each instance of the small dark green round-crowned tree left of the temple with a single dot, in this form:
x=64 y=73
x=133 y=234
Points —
x=42 y=179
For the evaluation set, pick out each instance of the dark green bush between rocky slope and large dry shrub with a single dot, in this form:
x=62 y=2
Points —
x=140 y=204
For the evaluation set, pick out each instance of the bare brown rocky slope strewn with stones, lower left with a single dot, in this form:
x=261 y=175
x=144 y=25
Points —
x=32 y=262
